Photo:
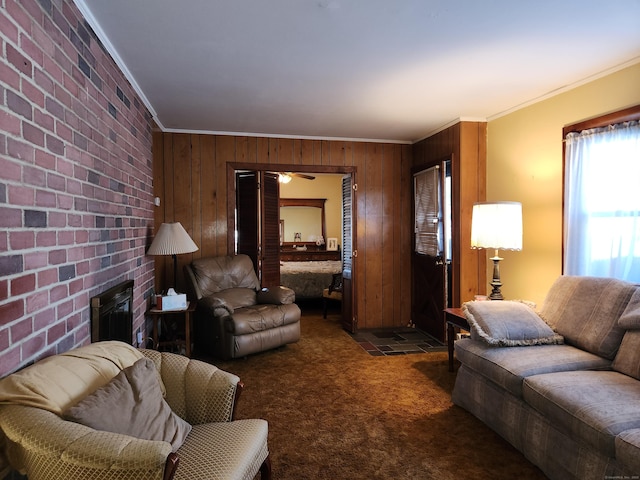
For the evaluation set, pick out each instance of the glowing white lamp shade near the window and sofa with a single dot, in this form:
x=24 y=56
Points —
x=497 y=225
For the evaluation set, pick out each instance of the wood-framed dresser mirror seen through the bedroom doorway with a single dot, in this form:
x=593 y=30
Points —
x=302 y=221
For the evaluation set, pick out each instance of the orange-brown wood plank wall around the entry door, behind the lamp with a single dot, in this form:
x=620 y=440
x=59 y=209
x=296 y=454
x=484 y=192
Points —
x=466 y=144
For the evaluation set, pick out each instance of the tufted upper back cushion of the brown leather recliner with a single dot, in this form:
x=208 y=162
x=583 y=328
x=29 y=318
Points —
x=214 y=274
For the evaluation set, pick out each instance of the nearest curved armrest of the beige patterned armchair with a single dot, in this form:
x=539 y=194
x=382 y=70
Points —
x=70 y=450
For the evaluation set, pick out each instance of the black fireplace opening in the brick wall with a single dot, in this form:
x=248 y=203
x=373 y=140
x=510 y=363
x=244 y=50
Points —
x=112 y=314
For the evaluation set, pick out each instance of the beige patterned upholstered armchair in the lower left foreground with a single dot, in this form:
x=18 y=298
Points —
x=36 y=439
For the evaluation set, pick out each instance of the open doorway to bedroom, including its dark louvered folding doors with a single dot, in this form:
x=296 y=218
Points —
x=312 y=229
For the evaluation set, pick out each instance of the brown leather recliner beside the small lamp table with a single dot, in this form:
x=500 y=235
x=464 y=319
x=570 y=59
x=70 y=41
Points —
x=234 y=316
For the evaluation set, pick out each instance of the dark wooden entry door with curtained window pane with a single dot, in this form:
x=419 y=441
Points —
x=429 y=282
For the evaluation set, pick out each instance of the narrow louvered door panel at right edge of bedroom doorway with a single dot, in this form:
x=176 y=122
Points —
x=349 y=254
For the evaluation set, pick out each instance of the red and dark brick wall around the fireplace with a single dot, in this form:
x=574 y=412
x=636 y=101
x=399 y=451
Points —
x=76 y=208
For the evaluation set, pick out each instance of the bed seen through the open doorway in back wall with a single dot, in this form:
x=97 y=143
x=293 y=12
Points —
x=308 y=279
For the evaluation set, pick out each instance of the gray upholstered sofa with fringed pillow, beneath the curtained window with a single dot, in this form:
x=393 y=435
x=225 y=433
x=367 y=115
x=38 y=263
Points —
x=562 y=385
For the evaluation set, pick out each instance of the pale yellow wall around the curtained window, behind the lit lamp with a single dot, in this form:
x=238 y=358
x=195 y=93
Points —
x=525 y=164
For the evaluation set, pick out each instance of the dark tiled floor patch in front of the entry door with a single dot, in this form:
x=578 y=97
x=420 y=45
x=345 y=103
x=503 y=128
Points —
x=397 y=341
